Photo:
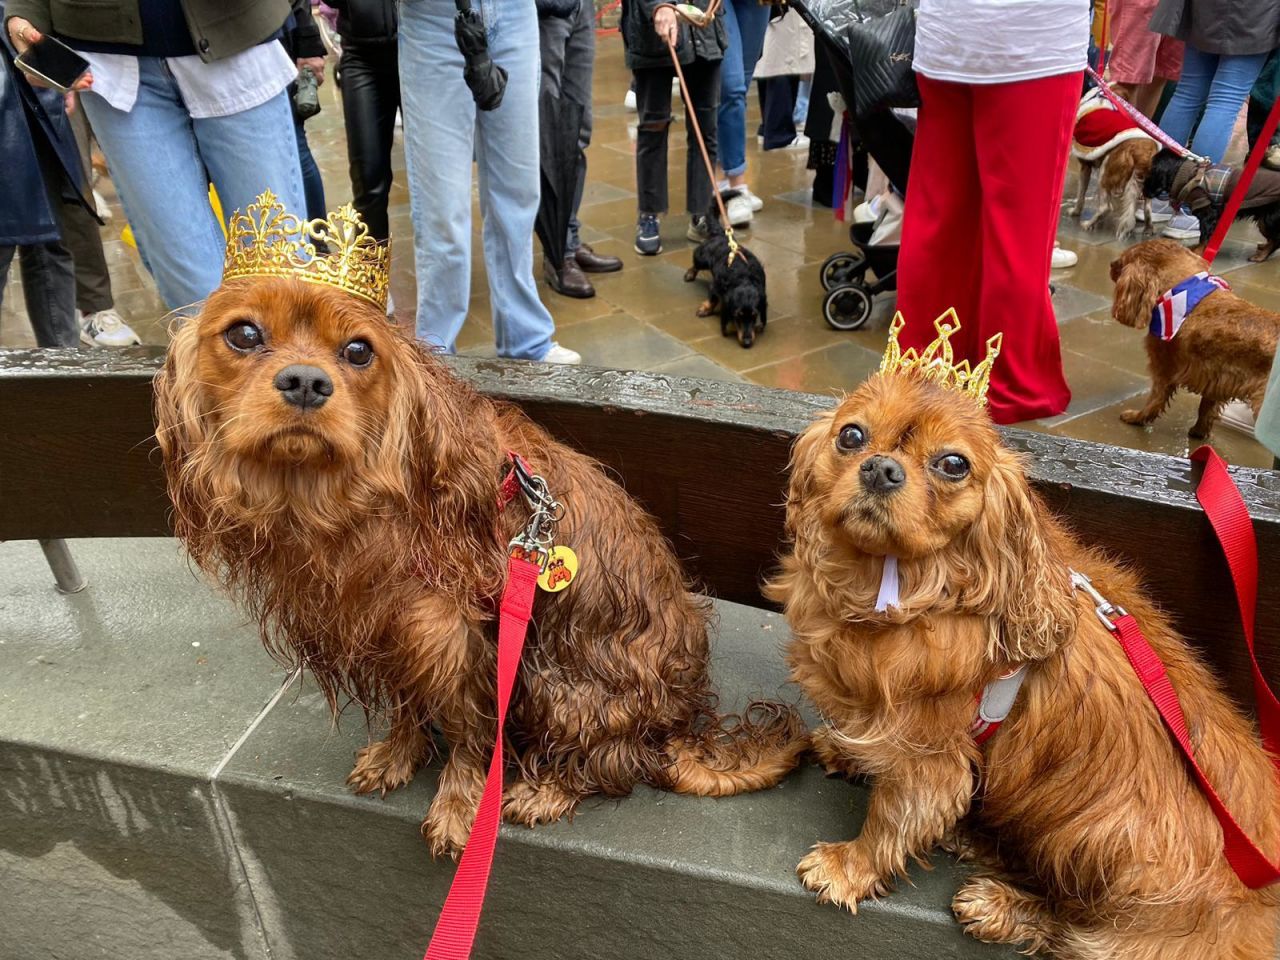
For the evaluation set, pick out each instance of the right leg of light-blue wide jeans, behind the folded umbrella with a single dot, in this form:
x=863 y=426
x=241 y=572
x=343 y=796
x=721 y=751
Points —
x=510 y=186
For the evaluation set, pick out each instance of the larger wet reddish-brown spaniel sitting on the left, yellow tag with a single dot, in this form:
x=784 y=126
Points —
x=344 y=484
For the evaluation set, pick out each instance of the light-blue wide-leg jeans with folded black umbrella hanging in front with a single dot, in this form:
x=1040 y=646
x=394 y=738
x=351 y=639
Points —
x=444 y=131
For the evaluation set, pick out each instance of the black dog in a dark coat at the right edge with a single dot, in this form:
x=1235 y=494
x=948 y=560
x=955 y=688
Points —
x=1204 y=194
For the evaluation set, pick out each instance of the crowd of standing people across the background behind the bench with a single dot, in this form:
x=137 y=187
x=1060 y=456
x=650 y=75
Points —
x=180 y=93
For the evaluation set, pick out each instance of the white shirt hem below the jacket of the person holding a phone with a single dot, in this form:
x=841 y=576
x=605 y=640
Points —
x=218 y=89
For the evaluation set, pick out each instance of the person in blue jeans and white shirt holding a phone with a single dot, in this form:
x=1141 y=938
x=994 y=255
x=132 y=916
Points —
x=181 y=93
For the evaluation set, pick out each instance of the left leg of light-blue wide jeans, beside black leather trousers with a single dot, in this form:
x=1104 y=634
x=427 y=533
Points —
x=440 y=136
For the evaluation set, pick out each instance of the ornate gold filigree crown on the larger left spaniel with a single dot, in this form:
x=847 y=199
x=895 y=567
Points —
x=266 y=241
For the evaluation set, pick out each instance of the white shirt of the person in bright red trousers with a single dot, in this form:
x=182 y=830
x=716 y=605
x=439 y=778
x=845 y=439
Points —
x=1002 y=42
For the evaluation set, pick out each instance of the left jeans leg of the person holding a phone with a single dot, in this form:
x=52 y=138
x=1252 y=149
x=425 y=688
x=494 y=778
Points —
x=161 y=179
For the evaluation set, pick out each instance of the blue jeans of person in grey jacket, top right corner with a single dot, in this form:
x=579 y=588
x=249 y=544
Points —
x=1219 y=85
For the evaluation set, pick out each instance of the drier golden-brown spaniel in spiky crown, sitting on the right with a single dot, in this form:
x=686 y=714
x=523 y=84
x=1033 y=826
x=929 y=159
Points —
x=1091 y=840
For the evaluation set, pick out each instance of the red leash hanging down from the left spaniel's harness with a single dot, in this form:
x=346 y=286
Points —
x=456 y=930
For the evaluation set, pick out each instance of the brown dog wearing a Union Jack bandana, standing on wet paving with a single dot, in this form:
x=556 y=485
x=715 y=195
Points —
x=1223 y=350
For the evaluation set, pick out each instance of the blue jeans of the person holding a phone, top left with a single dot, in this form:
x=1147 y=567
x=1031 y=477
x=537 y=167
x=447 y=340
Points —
x=163 y=162
